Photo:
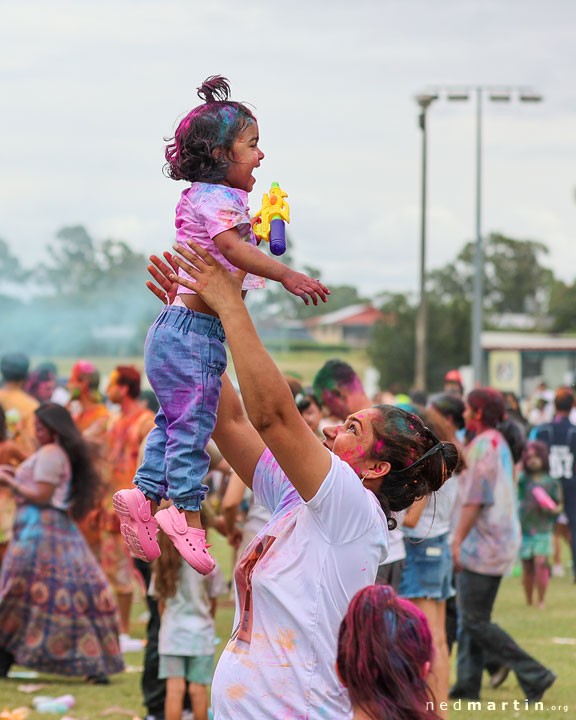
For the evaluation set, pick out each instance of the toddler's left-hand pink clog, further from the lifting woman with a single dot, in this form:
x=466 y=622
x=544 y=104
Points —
x=137 y=524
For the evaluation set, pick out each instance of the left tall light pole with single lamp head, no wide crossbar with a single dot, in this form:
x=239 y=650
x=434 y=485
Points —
x=424 y=101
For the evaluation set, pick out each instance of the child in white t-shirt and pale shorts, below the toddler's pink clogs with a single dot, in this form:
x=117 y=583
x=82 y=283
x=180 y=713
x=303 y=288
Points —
x=187 y=605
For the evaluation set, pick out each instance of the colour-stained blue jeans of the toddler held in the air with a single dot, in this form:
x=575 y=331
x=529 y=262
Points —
x=185 y=358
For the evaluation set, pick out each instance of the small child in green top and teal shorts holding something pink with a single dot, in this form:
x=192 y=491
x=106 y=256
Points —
x=539 y=495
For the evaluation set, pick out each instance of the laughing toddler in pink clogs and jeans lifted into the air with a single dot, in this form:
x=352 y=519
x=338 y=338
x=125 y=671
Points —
x=215 y=148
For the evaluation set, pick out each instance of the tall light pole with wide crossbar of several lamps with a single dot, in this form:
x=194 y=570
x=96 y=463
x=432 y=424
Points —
x=497 y=94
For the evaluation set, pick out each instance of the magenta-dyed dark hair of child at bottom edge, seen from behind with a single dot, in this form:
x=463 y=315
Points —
x=383 y=645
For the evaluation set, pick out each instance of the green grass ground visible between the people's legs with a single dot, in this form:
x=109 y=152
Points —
x=549 y=635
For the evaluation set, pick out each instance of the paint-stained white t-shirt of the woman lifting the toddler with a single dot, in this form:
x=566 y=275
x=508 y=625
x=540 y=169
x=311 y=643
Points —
x=293 y=587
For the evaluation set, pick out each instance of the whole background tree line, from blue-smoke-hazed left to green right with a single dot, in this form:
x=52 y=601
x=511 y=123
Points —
x=88 y=298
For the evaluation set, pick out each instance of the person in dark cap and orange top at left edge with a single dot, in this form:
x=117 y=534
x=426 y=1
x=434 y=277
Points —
x=18 y=405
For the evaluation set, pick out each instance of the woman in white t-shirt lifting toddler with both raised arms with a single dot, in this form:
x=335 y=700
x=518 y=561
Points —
x=329 y=527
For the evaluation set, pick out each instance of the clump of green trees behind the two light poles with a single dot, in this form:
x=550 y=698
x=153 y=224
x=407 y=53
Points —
x=515 y=281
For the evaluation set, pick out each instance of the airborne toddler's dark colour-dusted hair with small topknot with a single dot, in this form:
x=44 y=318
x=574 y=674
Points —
x=201 y=146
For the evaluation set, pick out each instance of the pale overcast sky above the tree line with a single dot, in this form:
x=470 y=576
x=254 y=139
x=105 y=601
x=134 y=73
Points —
x=89 y=90
